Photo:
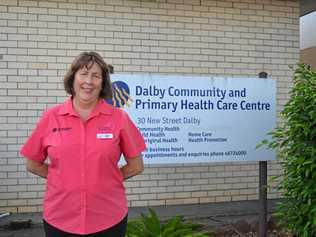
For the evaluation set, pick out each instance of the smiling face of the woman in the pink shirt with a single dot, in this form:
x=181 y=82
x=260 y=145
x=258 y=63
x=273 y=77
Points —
x=88 y=83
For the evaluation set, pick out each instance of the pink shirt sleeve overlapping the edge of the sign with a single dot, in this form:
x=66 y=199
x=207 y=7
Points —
x=131 y=140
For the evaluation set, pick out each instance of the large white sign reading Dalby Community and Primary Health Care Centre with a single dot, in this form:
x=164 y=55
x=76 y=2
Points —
x=199 y=119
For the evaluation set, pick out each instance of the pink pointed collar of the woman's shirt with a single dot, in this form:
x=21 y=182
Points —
x=102 y=107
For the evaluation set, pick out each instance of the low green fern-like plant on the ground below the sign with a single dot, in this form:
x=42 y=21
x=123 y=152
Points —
x=150 y=226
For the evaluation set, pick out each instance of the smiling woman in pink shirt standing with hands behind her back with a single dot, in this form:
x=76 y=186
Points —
x=77 y=146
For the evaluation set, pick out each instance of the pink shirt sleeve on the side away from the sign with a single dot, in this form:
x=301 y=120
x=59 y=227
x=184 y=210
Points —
x=33 y=148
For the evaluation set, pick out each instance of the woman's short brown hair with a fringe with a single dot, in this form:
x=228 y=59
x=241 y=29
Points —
x=87 y=59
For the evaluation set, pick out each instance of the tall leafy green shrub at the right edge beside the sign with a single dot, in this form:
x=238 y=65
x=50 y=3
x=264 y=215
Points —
x=295 y=141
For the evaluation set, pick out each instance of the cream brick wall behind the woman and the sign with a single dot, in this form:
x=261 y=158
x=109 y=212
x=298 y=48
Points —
x=38 y=40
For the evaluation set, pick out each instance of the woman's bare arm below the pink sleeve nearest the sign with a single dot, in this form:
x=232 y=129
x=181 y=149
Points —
x=133 y=166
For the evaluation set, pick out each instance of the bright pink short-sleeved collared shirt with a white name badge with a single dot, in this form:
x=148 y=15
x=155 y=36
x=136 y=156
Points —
x=84 y=190
